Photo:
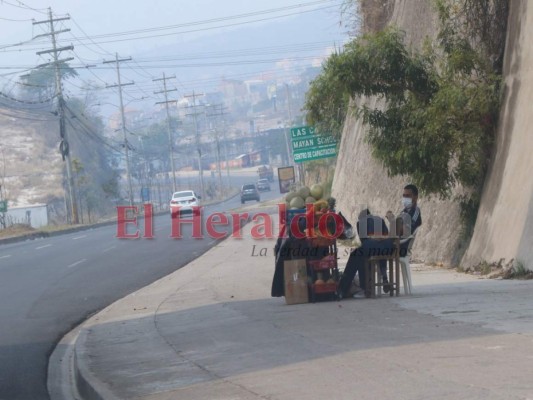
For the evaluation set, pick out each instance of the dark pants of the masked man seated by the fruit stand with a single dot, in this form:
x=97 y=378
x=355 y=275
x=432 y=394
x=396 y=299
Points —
x=358 y=258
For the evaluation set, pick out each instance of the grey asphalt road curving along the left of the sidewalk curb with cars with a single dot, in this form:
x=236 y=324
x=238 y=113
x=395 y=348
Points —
x=50 y=285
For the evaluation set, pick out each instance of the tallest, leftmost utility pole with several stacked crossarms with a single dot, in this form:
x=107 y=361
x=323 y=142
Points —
x=72 y=216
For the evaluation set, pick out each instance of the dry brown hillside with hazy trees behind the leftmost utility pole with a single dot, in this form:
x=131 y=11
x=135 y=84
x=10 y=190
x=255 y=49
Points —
x=33 y=171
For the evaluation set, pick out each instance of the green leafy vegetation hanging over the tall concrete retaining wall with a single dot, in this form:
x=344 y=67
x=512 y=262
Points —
x=437 y=108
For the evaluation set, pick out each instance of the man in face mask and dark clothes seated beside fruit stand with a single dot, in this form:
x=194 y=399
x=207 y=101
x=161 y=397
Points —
x=404 y=225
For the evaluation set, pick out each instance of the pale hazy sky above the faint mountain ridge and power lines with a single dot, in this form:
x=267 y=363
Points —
x=111 y=16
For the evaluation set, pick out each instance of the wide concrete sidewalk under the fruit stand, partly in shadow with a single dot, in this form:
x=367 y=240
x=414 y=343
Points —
x=212 y=331
